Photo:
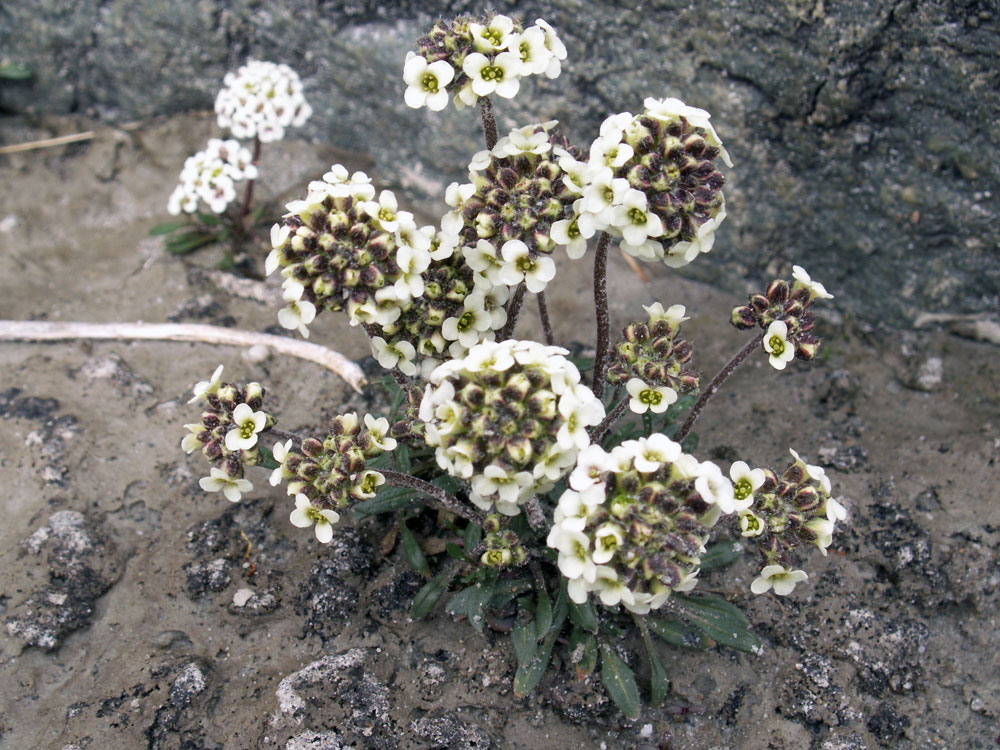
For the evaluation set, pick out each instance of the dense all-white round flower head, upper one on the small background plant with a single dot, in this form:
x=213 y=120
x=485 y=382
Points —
x=260 y=100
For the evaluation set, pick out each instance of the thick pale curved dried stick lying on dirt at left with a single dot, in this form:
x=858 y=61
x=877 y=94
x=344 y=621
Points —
x=36 y=330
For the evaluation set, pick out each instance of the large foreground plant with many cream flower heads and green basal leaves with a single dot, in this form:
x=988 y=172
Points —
x=576 y=522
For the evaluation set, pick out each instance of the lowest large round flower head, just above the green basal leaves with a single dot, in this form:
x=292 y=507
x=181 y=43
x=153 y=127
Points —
x=634 y=522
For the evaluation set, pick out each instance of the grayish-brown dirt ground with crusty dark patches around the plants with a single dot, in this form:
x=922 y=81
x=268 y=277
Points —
x=141 y=612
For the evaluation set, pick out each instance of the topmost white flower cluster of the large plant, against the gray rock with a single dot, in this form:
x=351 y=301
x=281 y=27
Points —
x=484 y=59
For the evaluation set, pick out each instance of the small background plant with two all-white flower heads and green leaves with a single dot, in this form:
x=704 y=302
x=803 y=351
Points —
x=258 y=102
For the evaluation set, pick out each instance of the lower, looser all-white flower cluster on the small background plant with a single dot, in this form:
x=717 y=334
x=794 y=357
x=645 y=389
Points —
x=211 y=176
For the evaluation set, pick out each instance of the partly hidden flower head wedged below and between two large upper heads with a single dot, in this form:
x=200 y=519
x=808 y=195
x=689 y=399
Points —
x=458 y=309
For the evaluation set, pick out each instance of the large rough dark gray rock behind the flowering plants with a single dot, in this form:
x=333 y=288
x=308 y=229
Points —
x=863 y=133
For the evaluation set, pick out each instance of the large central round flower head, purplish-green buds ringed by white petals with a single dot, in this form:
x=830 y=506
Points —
x=509 y=417
